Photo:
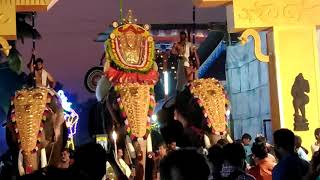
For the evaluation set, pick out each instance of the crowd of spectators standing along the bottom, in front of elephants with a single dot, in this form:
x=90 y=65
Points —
x=242 y=159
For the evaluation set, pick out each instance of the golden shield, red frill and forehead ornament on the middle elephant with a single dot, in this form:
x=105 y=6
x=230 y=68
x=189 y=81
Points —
x=130 y=67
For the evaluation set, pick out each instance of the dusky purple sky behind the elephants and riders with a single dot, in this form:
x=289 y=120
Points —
x=70 y=27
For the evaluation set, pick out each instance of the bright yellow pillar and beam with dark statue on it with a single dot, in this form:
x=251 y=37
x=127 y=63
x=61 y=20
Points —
x=292 y=55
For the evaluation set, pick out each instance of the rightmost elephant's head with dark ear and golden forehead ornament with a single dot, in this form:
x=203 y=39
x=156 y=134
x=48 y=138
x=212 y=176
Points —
x=197 y=116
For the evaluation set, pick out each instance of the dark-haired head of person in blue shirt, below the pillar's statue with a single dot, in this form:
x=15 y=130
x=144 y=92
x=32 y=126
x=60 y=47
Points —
x=283 y=142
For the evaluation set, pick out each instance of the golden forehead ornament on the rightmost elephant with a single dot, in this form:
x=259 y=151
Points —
x=211 y=95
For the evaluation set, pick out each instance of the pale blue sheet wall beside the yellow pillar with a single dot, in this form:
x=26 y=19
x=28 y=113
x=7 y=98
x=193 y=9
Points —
x=248 y=89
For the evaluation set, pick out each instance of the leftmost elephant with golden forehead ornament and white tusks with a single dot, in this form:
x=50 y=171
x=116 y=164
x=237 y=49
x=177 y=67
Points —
x=36 y=131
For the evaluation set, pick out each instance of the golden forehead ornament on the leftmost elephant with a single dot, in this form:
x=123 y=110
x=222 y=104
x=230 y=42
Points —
x=29 y=105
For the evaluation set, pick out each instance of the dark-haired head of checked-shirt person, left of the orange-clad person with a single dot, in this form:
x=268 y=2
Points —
x=234 y=154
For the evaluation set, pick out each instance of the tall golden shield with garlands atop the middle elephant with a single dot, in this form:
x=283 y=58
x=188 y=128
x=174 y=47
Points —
x=131 y=46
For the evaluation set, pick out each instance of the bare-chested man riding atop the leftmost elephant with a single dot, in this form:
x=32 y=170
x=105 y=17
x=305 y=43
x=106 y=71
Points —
x=41 y=77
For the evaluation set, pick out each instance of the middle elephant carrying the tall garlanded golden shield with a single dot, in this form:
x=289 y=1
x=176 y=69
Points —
x=130 y=75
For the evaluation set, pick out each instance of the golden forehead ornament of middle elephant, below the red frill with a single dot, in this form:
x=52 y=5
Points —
x=135 y=99
